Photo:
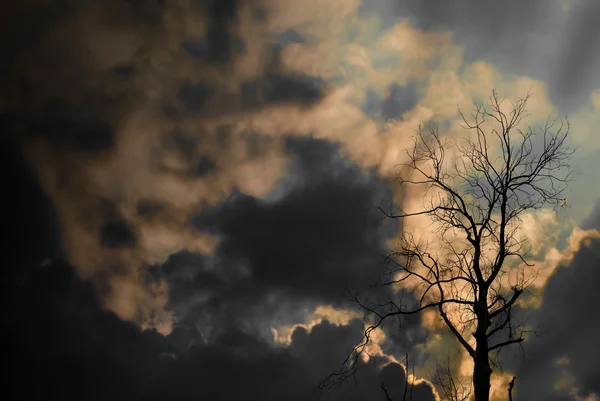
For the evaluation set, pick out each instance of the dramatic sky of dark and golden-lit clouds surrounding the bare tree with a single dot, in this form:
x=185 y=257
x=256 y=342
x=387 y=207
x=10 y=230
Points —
x=191 y=191
